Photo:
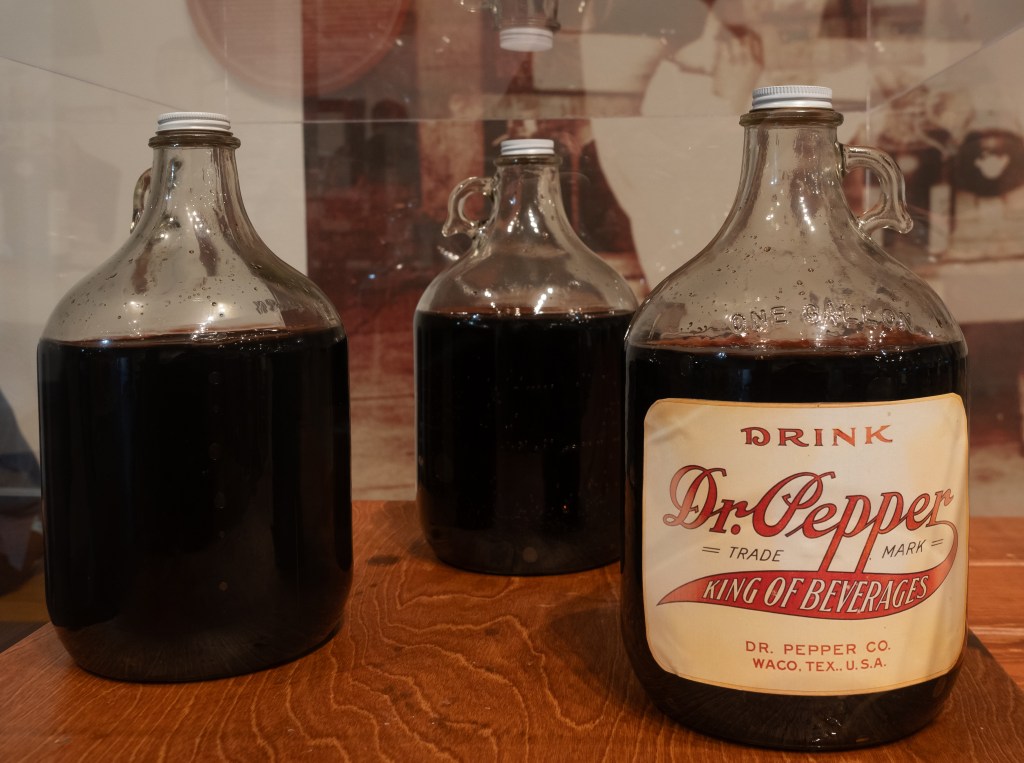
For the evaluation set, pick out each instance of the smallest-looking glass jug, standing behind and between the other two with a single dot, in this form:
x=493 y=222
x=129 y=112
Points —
x=520 y=372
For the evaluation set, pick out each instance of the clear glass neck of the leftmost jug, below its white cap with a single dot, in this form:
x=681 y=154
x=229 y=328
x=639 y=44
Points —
x=195 y=184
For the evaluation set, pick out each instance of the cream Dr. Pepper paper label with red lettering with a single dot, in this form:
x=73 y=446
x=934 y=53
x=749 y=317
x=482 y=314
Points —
x=806 y=549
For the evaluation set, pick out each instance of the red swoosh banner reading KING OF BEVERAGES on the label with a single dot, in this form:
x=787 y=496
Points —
x=820 y=595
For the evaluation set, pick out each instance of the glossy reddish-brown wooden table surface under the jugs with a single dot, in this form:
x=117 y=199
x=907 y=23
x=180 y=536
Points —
x=436 y=664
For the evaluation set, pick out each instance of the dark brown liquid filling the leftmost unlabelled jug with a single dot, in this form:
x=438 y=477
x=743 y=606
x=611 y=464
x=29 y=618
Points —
x=197 y=501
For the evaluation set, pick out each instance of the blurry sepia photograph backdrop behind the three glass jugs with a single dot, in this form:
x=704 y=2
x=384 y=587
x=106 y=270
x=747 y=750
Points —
x=359 y=117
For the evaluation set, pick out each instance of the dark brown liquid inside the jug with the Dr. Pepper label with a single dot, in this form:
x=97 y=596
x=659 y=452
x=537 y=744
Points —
x=793 y=374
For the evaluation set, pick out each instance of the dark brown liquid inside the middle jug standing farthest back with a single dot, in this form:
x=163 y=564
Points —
x=520 y=440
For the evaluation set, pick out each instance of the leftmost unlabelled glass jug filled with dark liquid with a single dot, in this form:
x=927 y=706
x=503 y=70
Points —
x=194 y=415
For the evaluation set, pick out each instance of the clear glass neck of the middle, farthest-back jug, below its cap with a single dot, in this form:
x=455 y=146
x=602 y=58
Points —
x=529 y=201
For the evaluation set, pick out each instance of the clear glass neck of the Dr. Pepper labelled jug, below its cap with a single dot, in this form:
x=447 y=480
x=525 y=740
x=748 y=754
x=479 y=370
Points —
x=792 y=176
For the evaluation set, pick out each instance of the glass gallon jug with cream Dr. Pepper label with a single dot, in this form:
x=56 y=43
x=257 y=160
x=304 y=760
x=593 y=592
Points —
x=796 y=532
